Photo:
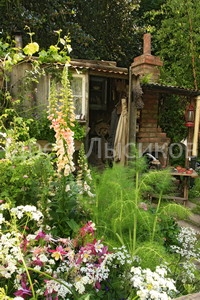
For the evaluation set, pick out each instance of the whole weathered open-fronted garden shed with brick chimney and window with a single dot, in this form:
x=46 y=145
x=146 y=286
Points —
x=104 y=93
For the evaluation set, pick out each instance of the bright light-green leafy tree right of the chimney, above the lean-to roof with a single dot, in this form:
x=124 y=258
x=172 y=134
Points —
x=178 y=42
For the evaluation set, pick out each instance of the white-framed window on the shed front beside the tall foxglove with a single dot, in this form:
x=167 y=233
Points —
x=78 y=92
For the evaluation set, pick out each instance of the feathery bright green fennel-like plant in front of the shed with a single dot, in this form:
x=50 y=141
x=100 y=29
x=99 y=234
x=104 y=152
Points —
x=123 y=212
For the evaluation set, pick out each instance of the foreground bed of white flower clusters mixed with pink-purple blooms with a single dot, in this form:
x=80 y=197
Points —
x=35 y=265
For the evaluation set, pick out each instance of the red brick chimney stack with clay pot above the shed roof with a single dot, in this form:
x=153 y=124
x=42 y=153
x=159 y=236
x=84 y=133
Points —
x=147 y=64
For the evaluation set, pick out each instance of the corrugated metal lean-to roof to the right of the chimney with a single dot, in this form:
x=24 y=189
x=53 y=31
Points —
x=170 y=89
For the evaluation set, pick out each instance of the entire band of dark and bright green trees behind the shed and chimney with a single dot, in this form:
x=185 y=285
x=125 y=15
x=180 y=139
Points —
x=113 y=29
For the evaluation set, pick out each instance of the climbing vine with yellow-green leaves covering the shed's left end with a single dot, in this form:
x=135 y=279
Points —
x=42 y=62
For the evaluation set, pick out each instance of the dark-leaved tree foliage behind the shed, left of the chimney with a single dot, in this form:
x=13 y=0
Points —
x=99 y=29
